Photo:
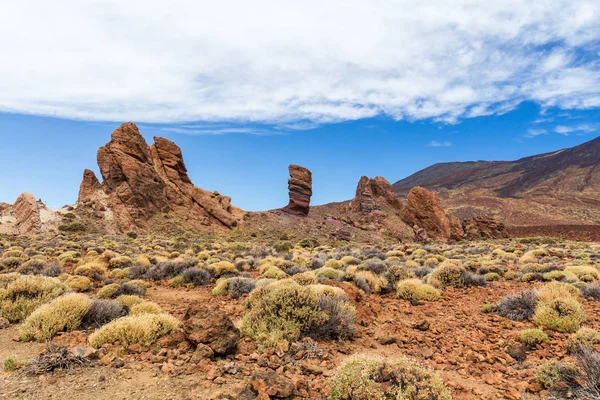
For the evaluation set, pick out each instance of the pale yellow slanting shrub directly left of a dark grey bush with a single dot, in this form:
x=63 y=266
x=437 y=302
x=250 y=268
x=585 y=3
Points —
x=62 y=314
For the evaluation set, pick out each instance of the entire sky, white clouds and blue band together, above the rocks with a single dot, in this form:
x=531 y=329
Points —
x=344 y=87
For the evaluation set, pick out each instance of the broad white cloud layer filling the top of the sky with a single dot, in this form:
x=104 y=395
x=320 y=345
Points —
x=287 y=62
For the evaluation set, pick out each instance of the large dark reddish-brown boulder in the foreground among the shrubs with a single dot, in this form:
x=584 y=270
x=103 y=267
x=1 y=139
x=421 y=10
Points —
x=210 y=327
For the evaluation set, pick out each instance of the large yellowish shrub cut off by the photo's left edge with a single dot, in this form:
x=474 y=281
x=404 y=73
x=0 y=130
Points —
x=25 y=293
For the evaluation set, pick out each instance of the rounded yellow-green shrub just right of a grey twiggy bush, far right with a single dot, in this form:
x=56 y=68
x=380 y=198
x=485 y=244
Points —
x=560 y=314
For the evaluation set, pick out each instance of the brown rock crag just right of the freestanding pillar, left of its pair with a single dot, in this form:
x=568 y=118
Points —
x=368 y=191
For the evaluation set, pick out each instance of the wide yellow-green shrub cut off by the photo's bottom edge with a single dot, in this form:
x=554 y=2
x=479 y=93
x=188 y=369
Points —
x=369 y=377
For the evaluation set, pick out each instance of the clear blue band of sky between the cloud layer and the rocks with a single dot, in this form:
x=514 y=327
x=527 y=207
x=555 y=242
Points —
x=46 y=156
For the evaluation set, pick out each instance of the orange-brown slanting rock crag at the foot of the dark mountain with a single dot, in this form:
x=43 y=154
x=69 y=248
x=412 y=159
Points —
x=424 y=211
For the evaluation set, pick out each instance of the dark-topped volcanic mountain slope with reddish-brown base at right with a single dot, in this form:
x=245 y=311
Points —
x=557 y=188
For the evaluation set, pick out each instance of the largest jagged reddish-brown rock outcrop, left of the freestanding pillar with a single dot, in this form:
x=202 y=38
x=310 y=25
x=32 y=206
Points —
x=141 y=182
